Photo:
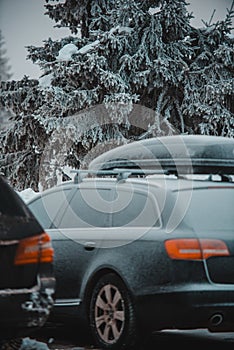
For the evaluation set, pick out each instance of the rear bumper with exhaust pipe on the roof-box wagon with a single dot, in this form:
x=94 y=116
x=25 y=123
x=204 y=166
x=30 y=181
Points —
x=201 y=307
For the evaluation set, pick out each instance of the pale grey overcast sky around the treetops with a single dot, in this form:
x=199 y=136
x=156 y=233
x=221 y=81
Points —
x=23 y=23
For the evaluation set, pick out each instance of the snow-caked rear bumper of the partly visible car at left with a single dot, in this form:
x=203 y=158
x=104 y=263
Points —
x=25 y=310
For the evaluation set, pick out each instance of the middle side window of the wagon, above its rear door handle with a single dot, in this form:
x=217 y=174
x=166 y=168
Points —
x=88 y=208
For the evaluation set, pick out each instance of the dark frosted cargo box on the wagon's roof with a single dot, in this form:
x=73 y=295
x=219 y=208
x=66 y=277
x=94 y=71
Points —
x=199 y=154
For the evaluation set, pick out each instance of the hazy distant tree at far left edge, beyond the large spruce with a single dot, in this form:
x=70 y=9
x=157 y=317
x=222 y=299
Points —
x=4 y=76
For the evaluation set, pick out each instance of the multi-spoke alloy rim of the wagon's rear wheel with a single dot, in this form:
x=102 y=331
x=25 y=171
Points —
x=109 y=314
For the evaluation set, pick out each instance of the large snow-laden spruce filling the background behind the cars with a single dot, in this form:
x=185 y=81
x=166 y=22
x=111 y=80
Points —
x=136 y=54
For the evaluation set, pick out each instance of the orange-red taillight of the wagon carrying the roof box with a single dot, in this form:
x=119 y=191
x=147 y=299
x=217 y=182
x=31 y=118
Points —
x=195 y=249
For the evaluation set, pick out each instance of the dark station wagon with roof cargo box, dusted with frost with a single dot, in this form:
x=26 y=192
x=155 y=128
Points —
x=146 y=247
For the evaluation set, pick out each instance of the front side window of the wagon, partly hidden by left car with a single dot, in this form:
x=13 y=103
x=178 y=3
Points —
x=46 y=207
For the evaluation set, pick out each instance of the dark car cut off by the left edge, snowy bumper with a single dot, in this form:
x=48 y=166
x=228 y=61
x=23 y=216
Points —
x=27 y=283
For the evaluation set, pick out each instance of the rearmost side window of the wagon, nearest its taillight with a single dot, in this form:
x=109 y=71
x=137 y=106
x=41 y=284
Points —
x=136 y=209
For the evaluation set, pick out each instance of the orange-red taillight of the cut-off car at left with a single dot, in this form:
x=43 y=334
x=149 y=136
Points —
x=36 y=249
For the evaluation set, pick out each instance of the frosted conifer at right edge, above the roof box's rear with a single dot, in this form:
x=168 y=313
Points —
x=208 y=104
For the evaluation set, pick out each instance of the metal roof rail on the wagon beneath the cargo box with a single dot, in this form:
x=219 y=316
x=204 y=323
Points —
x=121 y=174
